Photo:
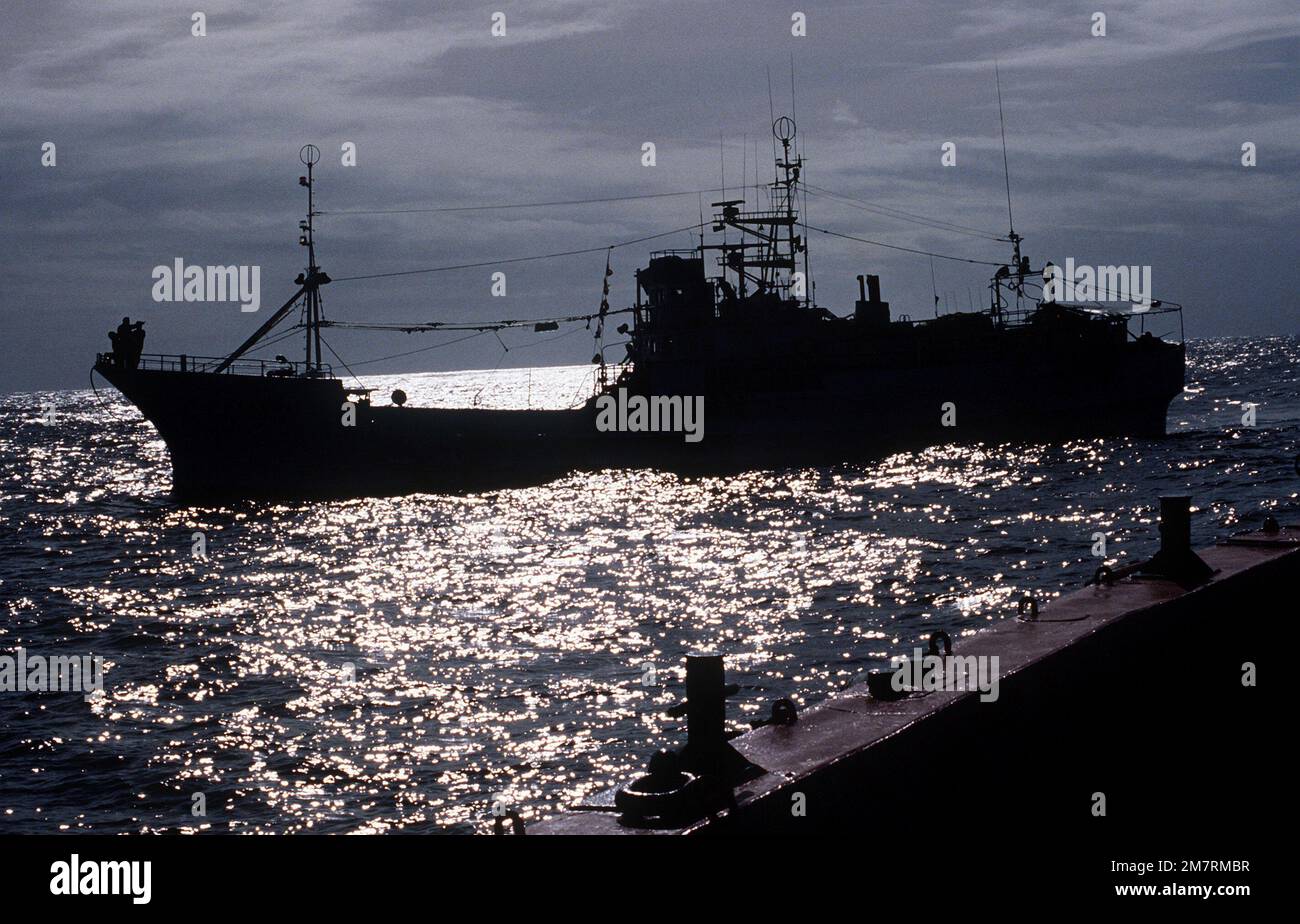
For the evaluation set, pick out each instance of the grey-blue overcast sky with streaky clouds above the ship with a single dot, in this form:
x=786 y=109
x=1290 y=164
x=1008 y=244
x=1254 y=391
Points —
x=1124 y=150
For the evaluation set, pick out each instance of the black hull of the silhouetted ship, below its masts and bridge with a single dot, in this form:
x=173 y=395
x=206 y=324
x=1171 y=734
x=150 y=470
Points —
x=253 y=437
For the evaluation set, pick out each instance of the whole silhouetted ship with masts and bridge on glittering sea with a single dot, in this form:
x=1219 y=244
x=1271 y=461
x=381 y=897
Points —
x=730 y=328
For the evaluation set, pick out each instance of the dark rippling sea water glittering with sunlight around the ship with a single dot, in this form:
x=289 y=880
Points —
x=398 y=665
